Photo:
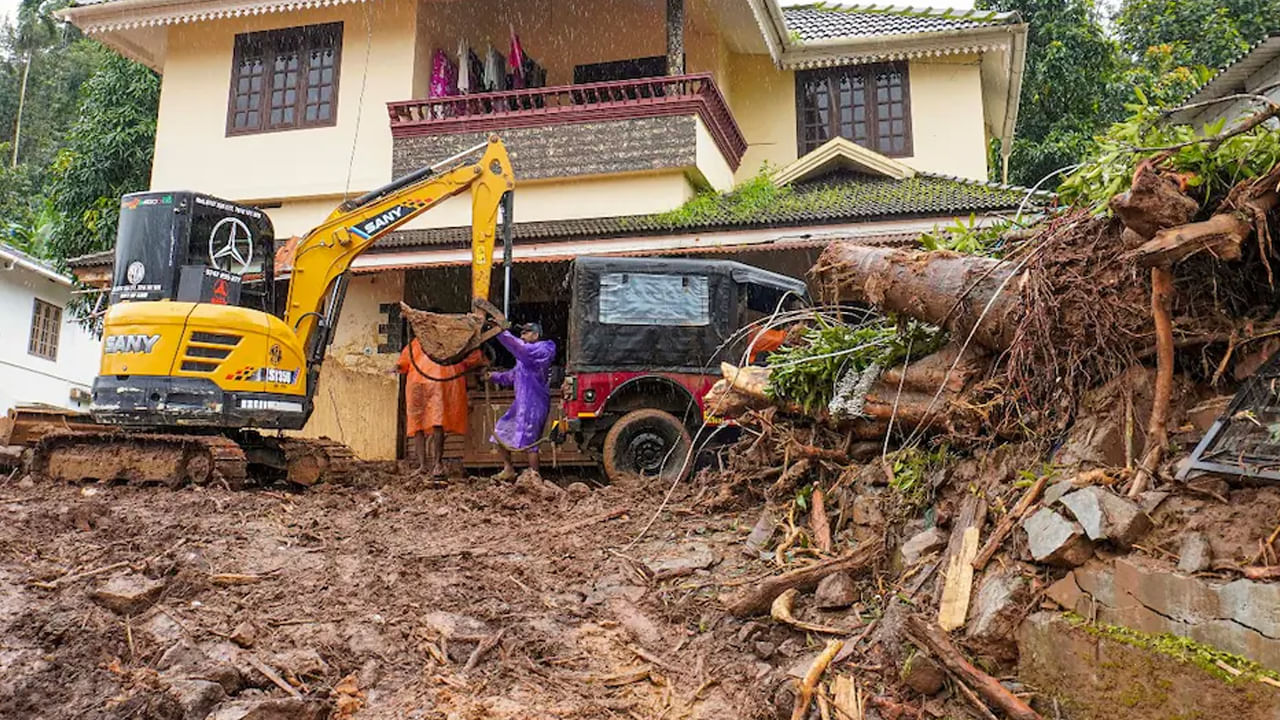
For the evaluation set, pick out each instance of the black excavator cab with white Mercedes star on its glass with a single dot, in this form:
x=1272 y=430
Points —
x=194 y=248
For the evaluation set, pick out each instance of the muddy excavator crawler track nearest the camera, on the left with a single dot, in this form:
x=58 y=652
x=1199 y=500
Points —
x=173 y=461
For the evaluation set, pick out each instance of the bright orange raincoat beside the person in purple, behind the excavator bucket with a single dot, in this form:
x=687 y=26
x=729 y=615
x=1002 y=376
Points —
x=436 y=404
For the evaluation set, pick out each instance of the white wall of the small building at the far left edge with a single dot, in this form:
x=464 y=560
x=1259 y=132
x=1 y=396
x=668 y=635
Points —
x=24 y=377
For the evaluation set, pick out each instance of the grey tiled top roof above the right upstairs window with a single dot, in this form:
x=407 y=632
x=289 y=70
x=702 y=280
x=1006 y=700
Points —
x=830 y=21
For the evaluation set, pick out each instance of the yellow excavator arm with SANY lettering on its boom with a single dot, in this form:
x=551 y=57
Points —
x=323 y=258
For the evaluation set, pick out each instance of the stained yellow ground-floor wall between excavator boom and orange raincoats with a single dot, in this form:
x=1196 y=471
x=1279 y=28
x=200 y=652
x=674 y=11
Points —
x=358 y=400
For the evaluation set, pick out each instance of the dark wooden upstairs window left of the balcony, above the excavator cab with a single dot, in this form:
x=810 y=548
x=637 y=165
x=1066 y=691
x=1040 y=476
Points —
x=285 y=80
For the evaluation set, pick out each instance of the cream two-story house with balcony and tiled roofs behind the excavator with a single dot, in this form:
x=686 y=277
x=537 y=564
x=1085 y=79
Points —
x=874 y=121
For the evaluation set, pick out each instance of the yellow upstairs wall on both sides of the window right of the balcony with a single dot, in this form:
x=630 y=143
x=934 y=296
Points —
x=948 y=131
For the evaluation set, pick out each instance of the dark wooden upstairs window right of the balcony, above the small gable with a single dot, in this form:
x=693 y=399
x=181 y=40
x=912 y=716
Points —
x=867 y=104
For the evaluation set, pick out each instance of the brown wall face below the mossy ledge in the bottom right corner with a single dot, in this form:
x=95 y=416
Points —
x=1082 y=676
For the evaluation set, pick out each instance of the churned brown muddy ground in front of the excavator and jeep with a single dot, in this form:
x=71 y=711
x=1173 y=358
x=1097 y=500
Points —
x=395 y=584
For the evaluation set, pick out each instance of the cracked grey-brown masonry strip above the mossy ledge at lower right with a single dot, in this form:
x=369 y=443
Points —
x=1242 y=617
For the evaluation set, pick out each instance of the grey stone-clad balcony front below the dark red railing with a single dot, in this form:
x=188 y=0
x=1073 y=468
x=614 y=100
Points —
x=569 y=151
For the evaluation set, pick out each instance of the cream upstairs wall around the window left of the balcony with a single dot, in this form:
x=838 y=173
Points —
x=194 y=152
